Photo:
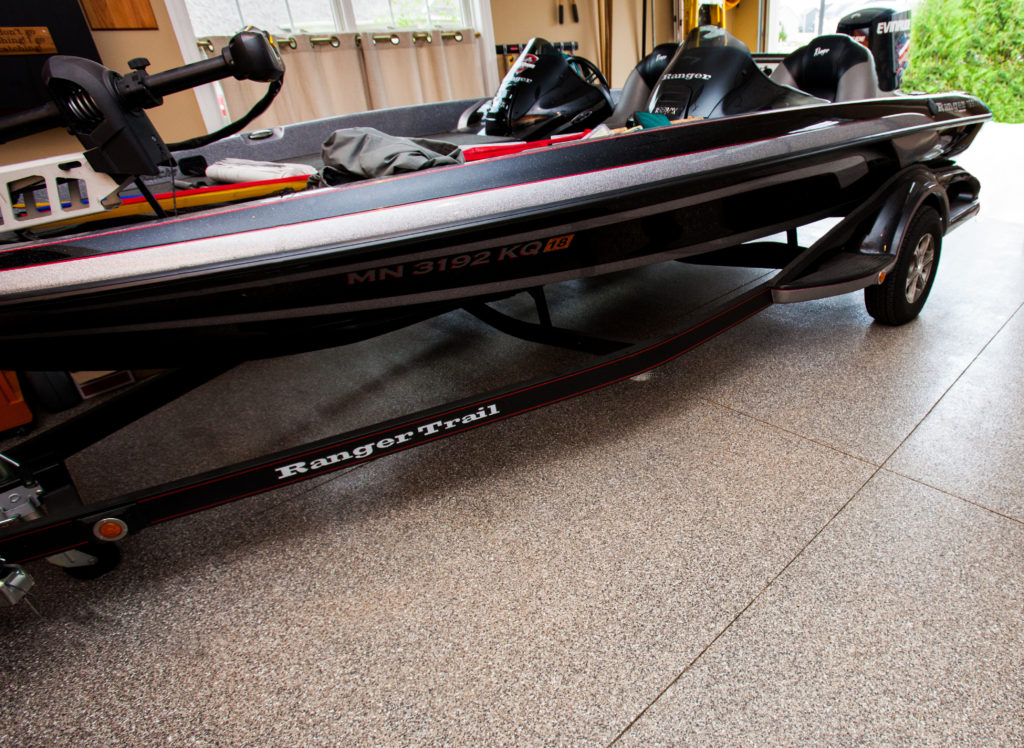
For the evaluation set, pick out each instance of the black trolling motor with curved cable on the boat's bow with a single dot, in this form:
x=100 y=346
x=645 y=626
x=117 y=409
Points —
x=106 y=111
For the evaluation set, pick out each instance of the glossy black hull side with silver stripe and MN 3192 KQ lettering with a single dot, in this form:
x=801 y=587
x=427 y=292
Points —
x=330 y=267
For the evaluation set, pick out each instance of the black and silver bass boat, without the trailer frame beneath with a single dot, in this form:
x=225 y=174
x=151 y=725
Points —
x=158 y=281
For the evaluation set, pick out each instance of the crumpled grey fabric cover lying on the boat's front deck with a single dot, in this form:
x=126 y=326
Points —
x=362 y=153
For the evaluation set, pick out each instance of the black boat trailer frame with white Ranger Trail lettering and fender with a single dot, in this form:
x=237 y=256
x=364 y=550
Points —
x=42 y=515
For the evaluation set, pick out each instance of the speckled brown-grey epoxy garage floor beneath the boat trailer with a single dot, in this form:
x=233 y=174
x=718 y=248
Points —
x=809 y=531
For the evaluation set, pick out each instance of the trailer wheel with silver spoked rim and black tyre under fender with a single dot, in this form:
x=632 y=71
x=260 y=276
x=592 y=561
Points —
x=902 y=297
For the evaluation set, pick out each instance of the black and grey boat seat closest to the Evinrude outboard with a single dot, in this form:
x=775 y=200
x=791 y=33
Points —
x=833 y=67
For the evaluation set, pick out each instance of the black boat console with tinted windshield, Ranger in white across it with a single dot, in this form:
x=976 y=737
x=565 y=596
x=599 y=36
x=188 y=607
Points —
x=714 y=75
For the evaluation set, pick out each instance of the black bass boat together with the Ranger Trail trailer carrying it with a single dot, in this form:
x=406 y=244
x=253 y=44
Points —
x=112 y=262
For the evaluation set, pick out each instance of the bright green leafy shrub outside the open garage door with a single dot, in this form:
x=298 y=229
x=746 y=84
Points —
x=975 y=47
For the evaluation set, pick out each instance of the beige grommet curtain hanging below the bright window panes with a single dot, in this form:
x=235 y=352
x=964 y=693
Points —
x=342 y=73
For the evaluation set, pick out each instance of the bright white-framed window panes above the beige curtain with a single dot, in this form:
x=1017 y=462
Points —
x=224 y=18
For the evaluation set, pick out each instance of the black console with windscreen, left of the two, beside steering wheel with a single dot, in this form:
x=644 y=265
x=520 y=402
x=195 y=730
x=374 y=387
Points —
x=545 y=94
